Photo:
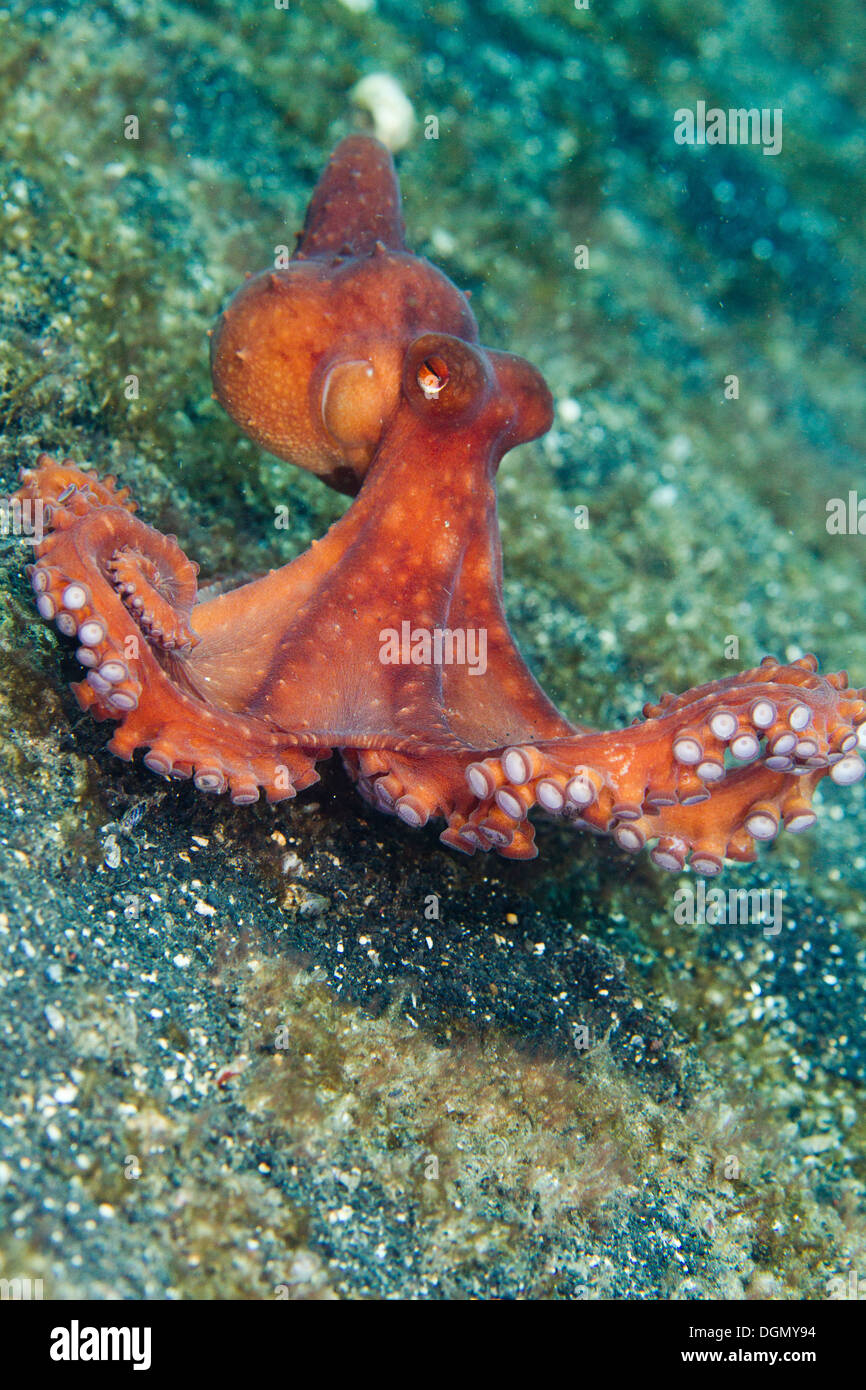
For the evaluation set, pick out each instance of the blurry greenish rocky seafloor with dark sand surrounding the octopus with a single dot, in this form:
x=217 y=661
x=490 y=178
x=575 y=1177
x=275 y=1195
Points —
x=302 y=1052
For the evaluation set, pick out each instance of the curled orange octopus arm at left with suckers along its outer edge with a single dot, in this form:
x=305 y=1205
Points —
x=92 y=566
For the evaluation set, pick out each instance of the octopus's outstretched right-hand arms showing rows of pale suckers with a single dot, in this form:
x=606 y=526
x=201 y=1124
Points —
x=707 y=775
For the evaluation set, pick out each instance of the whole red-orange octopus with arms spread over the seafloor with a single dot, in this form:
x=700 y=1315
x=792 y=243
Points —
x=361 y=363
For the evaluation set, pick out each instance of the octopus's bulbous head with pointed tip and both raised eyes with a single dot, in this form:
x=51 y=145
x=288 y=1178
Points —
x=318 y=359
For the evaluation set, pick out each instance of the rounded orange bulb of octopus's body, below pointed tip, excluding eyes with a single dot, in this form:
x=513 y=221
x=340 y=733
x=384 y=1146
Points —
x=309 y=361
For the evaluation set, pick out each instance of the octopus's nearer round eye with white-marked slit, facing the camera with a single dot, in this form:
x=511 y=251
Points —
x=446 y=379
